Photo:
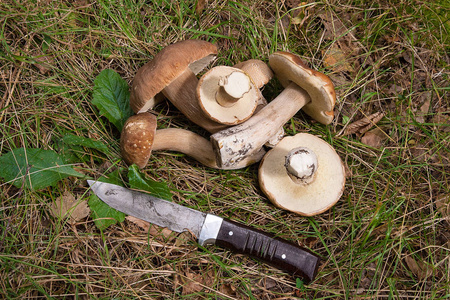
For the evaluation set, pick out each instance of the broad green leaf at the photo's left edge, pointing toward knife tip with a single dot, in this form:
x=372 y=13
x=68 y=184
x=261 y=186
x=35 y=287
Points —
x=34 y=168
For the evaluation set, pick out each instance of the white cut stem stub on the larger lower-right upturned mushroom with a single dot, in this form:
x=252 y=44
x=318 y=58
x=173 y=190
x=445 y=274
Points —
x=301 y=165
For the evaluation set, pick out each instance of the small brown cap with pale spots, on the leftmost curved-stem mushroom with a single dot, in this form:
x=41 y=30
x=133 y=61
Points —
x=136 y=140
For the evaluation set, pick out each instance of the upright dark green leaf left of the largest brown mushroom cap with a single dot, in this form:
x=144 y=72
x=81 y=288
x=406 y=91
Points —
x=111 y=97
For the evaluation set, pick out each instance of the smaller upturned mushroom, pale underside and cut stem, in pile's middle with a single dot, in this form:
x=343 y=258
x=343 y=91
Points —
x=227 y=95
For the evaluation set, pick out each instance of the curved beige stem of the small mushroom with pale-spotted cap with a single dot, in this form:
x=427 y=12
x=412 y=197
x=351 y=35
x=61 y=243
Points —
x=186 y=142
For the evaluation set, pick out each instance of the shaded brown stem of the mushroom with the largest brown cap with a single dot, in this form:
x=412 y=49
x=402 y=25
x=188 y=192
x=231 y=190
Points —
x=182 y=93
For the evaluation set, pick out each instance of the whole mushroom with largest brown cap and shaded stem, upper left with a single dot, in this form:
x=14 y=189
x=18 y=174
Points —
x=173 y=72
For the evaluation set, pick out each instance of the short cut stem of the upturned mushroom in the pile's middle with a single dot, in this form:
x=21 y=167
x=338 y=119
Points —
x=232 y=88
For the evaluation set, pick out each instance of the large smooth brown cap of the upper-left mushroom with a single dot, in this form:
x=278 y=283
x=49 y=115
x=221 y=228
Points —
x=166 y=66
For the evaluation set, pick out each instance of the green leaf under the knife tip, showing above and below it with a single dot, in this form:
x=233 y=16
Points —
x=103 y=214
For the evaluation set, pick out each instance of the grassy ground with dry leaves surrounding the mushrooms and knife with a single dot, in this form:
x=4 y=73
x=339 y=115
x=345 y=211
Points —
x=388 y=237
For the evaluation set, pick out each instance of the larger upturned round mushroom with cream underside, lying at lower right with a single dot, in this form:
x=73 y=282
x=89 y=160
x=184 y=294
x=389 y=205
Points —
x=302 y=174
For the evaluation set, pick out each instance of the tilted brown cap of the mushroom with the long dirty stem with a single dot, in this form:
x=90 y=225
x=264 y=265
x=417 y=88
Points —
x=289 y=68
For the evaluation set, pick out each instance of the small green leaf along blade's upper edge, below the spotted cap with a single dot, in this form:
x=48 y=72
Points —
x=138 y=181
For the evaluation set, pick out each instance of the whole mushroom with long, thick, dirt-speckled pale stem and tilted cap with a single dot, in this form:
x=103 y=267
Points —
x=304 y=88
